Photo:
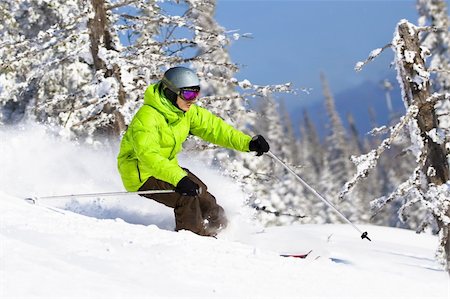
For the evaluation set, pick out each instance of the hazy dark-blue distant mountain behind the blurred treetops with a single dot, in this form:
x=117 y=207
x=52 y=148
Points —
x=357 y=101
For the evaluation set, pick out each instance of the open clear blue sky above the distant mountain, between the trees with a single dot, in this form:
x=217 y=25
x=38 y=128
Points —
x=293 y=41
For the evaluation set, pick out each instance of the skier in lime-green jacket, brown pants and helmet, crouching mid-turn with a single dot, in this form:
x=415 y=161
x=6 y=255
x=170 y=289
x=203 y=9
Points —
x=148 y=153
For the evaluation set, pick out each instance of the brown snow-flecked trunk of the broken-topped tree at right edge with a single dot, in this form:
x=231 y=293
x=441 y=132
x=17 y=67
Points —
x=416 y=85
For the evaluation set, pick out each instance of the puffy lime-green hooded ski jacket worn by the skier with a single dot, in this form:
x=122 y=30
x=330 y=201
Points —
x=155 y=135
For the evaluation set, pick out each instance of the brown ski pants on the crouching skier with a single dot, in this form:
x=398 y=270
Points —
x=200 y=214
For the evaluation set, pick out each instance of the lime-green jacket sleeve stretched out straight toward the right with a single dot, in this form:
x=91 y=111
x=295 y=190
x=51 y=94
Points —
x=213 y=129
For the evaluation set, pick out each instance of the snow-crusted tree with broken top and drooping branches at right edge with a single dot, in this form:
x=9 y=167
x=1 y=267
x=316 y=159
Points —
x=428 y=186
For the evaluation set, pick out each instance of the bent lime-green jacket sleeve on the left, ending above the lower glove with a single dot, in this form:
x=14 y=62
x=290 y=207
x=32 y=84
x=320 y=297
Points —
x=147 y=148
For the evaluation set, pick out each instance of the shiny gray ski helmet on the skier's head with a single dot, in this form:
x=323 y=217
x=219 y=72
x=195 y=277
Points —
x=179 y=77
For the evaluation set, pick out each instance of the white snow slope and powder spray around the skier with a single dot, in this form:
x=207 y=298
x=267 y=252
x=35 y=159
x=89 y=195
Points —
x=124 y=247
